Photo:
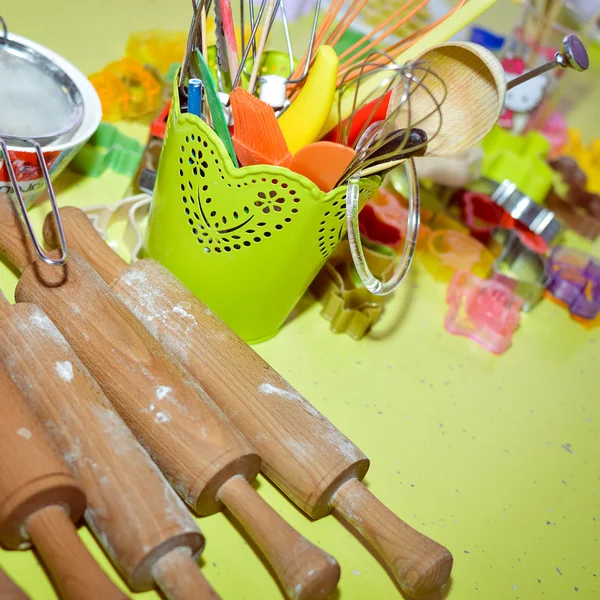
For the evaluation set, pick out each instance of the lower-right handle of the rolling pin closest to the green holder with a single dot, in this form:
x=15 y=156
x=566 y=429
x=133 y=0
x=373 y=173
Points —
x=420 y=565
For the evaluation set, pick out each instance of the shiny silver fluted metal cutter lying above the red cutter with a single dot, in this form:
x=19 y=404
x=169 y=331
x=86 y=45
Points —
x=536 y=218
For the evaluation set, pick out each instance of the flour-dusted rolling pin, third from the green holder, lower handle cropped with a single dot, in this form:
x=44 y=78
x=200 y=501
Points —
x=141 y=523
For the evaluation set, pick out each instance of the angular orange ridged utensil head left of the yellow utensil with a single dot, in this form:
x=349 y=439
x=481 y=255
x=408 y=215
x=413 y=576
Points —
x=257 y=137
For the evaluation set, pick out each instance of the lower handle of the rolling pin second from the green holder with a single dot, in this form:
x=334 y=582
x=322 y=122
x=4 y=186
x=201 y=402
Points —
x=304 y=570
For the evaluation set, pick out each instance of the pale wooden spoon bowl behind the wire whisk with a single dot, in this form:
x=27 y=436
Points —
x=471 y=97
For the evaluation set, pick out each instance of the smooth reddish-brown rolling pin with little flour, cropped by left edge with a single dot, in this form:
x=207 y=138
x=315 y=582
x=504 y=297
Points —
x=40 y=500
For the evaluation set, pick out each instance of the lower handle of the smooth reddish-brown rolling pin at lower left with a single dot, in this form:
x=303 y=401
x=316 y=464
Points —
x=74 y=572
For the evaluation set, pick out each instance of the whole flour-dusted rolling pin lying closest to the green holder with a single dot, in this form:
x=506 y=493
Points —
x=314 y=464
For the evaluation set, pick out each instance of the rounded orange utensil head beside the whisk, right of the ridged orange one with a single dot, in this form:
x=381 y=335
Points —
x=322 y=162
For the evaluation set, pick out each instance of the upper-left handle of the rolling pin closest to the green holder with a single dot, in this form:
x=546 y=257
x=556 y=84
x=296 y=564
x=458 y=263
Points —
x=84 y=238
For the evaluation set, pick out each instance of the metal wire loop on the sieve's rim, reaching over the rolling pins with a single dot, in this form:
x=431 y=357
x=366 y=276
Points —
x=59 y=227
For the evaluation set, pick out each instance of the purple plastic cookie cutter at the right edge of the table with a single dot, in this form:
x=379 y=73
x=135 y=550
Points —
x=575 y=281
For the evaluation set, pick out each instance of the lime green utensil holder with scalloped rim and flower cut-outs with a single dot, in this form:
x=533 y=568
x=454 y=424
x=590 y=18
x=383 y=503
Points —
x=248 y=241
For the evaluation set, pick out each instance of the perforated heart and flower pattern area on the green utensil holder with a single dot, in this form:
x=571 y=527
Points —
x=225 y=214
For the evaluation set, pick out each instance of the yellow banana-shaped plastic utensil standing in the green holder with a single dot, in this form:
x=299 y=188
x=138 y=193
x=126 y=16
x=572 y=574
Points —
x=302 y=122
